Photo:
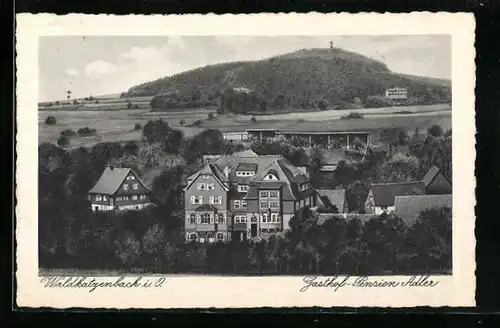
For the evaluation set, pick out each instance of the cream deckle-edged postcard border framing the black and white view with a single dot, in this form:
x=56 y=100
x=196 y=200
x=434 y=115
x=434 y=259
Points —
x=238 y=292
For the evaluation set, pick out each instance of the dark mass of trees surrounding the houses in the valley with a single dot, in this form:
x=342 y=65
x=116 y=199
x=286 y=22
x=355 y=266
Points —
x=71 y=236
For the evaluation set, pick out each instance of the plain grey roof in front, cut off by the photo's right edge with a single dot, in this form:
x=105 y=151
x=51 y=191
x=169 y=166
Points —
x=408 y=208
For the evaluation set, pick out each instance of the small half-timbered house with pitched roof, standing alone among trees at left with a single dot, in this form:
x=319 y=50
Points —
x=119 y=189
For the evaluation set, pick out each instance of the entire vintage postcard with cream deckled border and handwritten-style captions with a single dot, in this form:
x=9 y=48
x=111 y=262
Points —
x=243 y=161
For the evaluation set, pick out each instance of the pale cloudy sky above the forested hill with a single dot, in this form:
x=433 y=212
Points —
x=99 y=65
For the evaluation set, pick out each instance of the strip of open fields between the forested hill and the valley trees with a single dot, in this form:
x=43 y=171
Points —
x=118 y=125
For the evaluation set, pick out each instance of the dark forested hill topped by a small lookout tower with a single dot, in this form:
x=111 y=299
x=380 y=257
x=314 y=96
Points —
x=302 y=79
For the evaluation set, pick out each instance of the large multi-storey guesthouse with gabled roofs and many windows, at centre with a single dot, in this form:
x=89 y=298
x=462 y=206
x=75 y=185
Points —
x=244 y=196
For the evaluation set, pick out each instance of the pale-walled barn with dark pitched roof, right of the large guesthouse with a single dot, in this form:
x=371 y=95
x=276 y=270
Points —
x=384 y=193
